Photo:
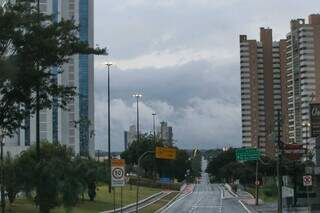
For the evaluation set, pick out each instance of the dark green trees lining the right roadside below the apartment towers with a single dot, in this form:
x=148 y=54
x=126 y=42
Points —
x=224 y=168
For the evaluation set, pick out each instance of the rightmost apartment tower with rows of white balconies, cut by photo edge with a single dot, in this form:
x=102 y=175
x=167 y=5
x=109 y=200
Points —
x=303 y=74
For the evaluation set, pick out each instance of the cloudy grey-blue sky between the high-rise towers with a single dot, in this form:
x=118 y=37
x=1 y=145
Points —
x=183 y=56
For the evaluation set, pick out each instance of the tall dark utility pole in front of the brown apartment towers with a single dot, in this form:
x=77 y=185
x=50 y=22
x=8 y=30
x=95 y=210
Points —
x=279 y=165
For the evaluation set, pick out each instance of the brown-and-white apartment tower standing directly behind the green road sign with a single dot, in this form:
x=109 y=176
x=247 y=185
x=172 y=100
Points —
x=262 y=83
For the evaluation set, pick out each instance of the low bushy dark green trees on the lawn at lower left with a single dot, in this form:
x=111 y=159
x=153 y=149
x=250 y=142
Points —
x=59 y=179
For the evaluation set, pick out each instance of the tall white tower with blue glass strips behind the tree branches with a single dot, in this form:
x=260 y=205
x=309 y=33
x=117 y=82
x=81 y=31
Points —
x=74 y=127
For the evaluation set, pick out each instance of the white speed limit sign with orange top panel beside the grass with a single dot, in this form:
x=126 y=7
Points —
x=117 y=173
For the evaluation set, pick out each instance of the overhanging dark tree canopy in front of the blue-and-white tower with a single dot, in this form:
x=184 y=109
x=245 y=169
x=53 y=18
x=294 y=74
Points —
x=33 y=50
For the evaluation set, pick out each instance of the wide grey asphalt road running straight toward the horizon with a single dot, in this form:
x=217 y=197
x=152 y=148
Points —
x=207 y=198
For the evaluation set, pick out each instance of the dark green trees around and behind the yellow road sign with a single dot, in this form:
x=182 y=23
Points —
x=182 y=168
